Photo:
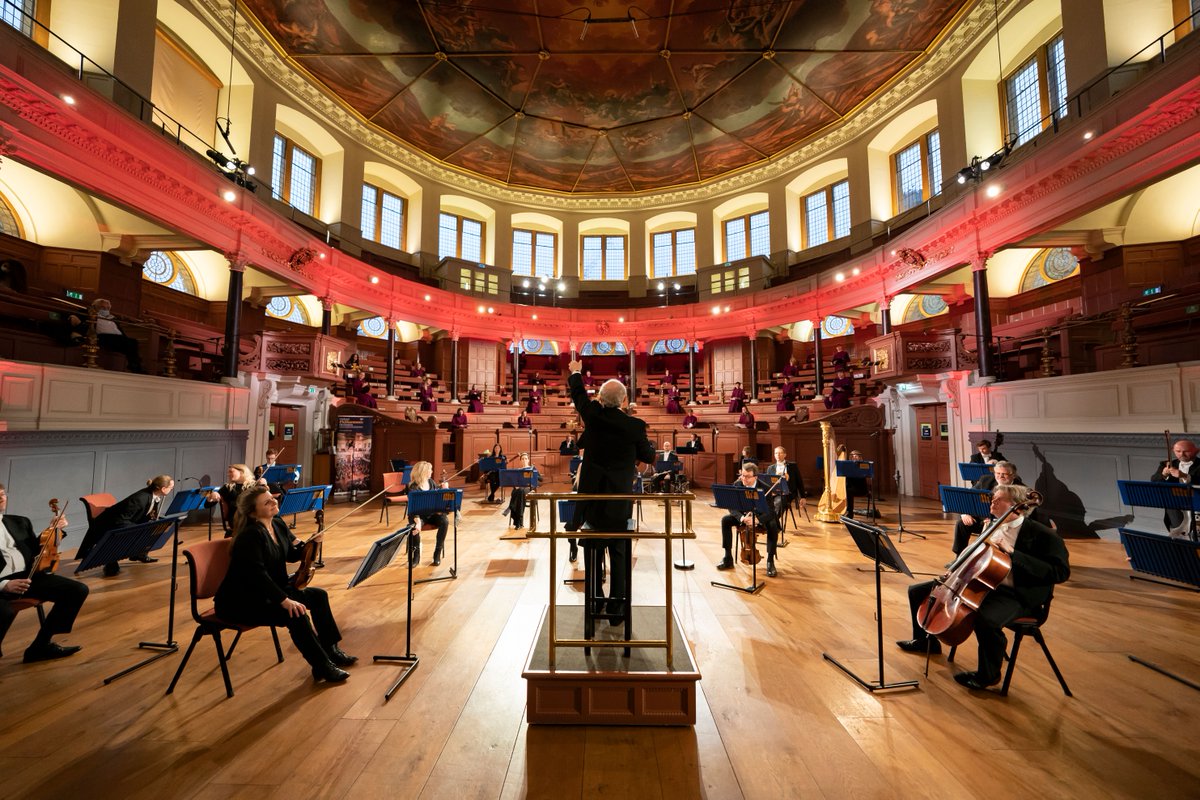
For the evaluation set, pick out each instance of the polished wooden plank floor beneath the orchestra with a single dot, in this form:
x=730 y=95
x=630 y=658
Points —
x=776 y=720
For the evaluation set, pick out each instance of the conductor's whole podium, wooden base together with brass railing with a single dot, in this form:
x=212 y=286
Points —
x=577 y=681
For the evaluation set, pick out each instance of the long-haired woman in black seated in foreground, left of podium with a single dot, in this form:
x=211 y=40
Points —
x=256 y=590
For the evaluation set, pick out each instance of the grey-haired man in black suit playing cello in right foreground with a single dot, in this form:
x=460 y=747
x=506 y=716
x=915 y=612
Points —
x=1040 y=562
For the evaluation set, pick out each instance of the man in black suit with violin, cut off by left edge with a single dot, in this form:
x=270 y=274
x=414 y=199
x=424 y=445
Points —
x=19 y=549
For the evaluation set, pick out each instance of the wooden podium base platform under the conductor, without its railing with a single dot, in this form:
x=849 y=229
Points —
x=608 y=688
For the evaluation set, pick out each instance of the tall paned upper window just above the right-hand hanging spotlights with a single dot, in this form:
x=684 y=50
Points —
x=1036 y=92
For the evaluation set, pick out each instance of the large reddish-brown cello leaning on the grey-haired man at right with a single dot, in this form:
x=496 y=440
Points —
x=950 y=612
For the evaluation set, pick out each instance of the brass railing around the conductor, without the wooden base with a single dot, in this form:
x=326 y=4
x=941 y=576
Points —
x=668 y=536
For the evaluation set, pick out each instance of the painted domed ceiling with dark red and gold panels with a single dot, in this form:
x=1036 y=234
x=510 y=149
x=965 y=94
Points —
x=601 y=97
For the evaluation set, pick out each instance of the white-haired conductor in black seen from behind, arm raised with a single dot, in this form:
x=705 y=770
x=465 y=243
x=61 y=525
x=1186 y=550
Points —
x=614 y=443
